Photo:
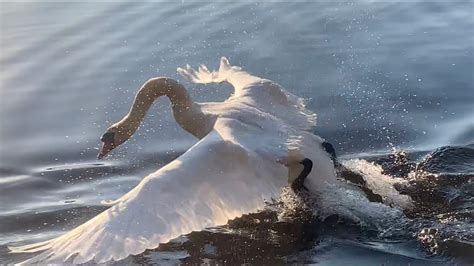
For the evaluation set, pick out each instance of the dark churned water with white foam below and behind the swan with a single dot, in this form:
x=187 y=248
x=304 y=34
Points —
x=434 y=229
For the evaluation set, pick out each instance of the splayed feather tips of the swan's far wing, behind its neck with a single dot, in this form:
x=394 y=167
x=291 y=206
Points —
x=203 y=76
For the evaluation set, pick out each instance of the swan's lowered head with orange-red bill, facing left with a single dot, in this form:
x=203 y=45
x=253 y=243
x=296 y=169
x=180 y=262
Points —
x=114 y=136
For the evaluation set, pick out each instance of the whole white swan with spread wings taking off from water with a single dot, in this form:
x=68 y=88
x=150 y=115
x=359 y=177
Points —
x=248 y=150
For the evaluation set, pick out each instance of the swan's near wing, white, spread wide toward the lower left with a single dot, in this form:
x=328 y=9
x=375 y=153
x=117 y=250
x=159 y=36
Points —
x=218 y=179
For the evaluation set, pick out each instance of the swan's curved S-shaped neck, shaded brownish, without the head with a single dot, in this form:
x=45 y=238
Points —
x=188 y=114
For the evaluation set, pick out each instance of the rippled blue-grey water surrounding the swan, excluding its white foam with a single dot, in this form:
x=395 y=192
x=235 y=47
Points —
x=381 y=76
